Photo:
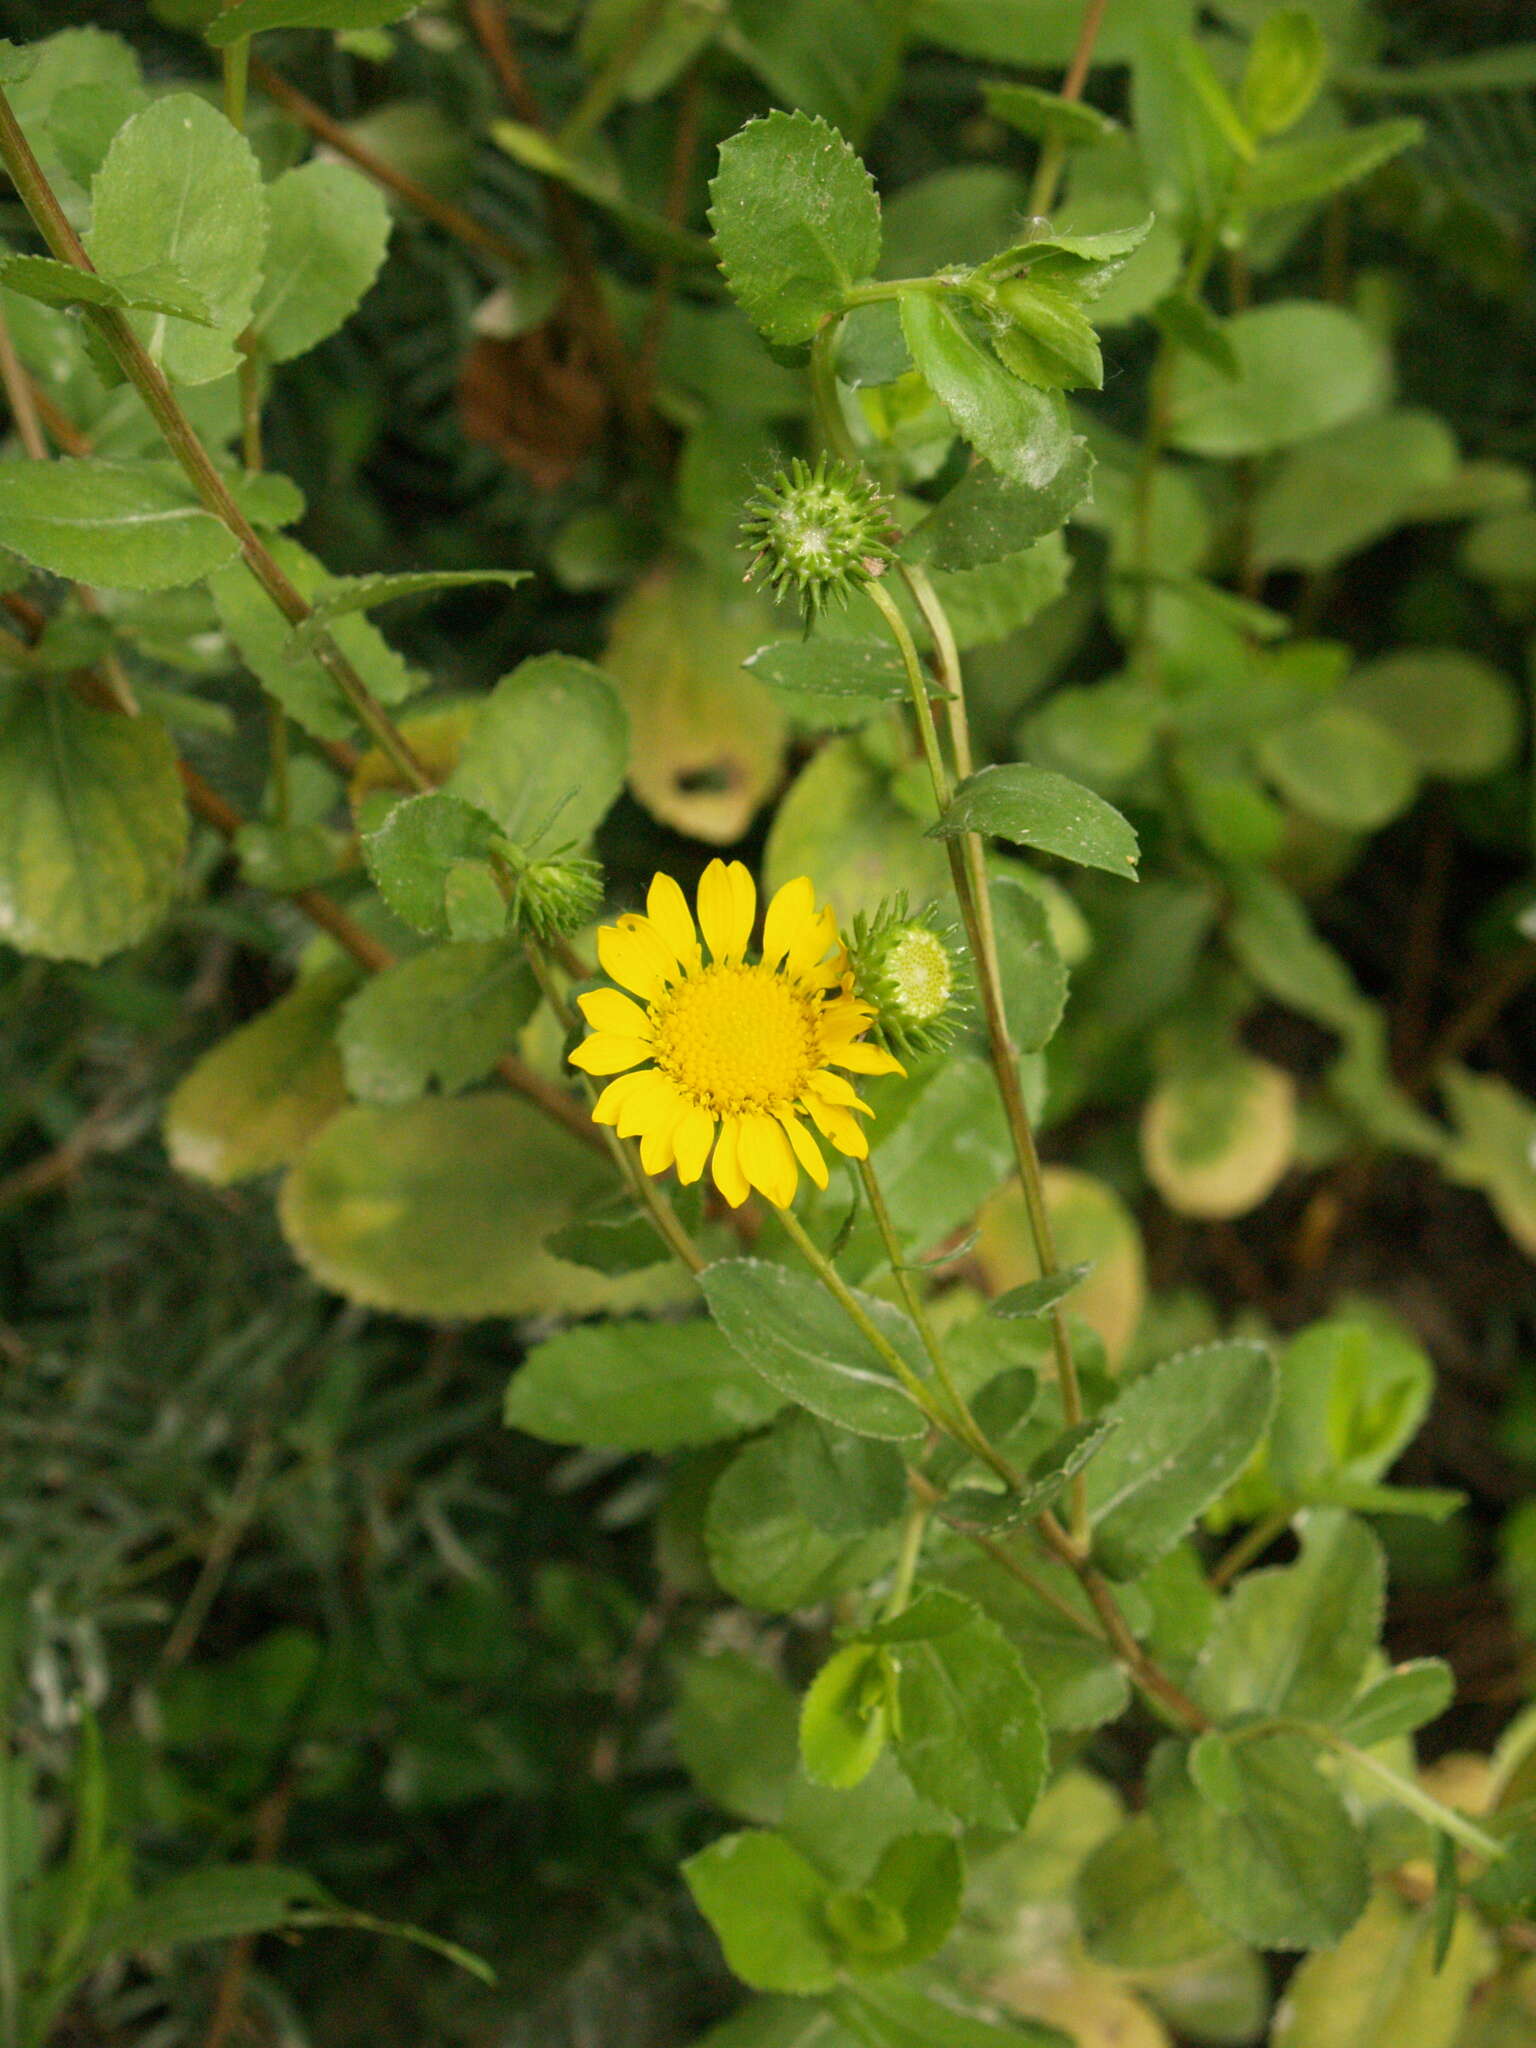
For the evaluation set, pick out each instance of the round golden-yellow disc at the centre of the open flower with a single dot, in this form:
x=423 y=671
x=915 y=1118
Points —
x=738 y=1039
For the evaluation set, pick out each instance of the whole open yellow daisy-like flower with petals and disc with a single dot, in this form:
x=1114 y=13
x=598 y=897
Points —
x=732 y=1054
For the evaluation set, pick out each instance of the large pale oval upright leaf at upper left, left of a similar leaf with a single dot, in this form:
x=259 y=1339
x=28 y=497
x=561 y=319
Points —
x=181 y=189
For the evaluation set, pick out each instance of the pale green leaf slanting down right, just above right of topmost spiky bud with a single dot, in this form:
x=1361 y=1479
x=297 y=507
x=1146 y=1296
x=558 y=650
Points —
x=1021 y=431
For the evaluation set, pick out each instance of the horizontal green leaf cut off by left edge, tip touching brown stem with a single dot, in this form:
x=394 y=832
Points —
x=118 y=525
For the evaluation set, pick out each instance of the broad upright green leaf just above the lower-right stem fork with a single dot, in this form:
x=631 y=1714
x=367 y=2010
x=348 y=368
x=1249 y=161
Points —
x=1293 y=1641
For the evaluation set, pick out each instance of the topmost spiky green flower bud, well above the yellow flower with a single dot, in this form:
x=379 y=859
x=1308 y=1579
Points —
x=818 y=534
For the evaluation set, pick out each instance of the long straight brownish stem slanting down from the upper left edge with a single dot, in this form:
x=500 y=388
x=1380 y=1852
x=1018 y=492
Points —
x=148 y=380
